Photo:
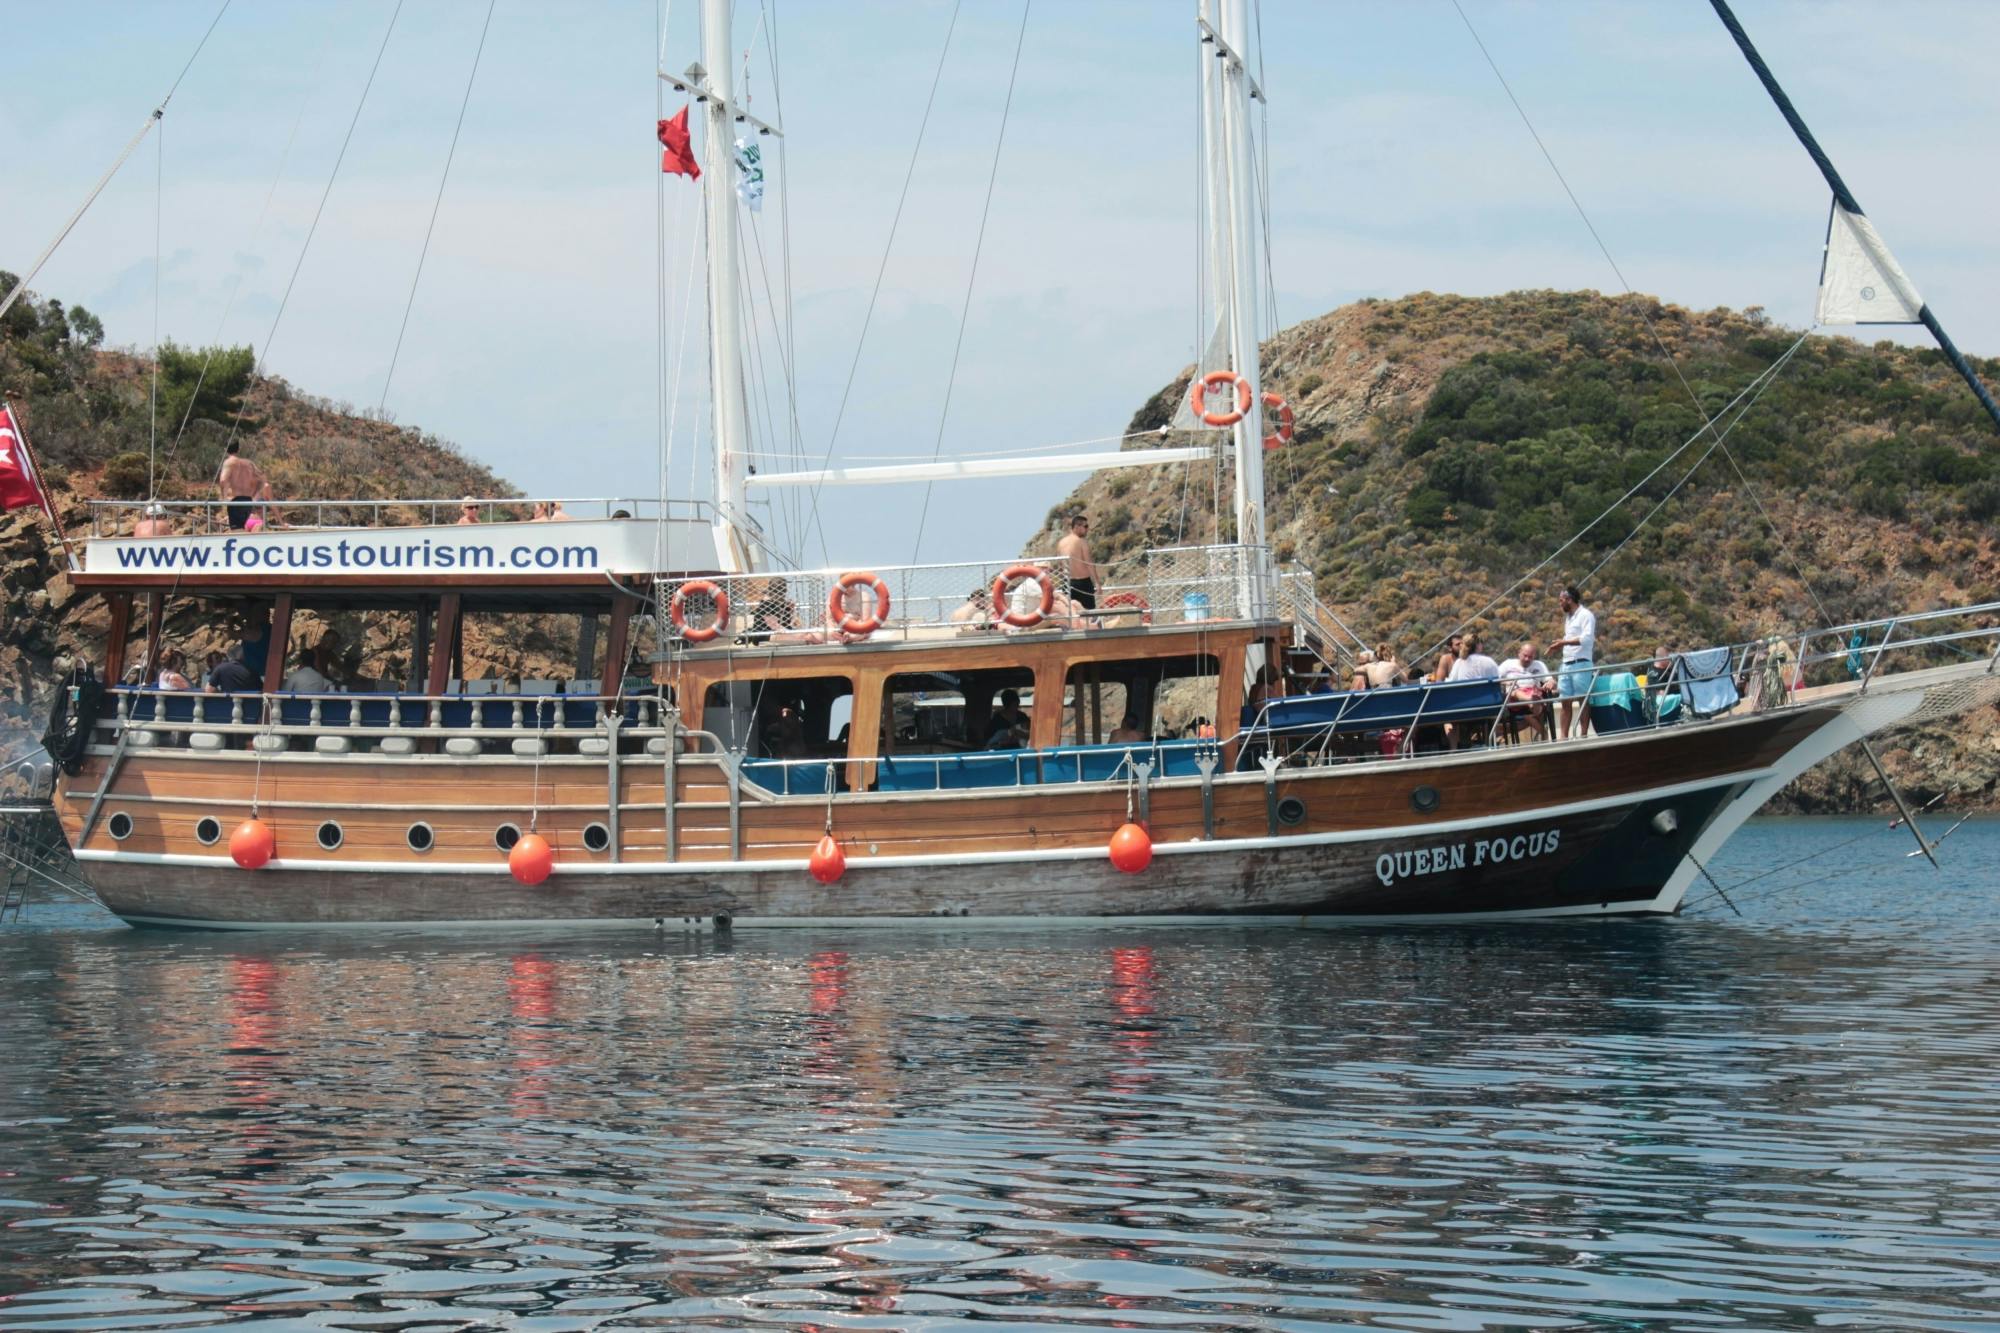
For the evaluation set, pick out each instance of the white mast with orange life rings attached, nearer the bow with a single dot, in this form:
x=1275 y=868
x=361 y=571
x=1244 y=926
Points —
x=1243 y=251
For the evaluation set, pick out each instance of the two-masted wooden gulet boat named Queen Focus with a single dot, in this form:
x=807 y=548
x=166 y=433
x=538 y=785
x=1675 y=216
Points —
x=813 y=748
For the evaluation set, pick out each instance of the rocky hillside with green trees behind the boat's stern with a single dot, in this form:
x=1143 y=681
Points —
x=89 y=413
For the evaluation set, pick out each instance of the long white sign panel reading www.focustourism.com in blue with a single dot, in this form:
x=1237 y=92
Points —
x=583 y=547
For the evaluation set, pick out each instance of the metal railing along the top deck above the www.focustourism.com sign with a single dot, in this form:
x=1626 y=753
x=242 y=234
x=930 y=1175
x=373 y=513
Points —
x=197 y=517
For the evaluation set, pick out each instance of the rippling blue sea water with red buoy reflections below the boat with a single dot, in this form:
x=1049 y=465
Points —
x=1767 y=1122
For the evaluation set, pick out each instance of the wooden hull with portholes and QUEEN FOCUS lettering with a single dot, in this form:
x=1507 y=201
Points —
x=1555 y=830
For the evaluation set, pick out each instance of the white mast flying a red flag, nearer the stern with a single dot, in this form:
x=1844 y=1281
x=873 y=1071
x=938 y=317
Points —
x=725 y=317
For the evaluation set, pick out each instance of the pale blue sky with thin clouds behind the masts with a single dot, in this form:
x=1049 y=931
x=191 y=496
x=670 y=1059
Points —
x=1397 y=167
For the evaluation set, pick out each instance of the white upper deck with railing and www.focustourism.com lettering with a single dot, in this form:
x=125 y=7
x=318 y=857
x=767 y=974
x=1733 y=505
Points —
x=395 y=543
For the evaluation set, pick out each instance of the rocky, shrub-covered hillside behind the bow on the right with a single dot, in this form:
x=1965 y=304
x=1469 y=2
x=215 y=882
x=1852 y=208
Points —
x=1447 y=445
